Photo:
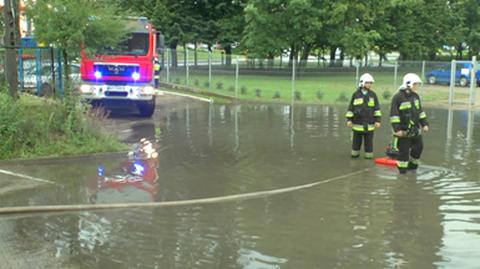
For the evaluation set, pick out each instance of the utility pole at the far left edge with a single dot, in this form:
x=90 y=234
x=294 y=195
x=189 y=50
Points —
x=11 y=40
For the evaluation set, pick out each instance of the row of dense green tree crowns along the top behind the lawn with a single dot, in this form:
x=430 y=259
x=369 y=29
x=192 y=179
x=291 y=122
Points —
x=412 y=27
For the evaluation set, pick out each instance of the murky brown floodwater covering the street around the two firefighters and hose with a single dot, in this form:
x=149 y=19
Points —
x=371 y=219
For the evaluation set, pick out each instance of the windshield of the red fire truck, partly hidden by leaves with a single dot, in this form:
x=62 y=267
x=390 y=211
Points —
x=136 y=44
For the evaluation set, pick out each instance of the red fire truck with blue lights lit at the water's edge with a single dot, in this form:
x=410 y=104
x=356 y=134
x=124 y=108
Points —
x=123 y=75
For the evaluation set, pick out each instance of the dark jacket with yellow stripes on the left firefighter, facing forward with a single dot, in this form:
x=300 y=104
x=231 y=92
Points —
x=364 y=111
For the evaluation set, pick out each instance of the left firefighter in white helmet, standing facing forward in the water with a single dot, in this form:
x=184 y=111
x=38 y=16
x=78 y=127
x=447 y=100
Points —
x=363 y=116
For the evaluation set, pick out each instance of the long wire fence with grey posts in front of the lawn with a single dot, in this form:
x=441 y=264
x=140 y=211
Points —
x=315 y=80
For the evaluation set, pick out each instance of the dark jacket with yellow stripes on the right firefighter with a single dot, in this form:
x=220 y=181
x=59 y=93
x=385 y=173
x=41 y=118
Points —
x=406 y=113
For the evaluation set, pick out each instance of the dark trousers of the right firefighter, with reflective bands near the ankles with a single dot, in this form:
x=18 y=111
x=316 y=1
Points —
x=409 y=150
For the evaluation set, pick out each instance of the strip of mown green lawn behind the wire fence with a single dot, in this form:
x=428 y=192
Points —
x=333 y=88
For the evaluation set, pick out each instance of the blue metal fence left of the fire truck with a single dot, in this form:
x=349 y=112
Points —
x=40 y=71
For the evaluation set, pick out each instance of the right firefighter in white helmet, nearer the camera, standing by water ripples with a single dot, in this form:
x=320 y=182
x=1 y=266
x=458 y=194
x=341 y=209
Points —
x=408 y=121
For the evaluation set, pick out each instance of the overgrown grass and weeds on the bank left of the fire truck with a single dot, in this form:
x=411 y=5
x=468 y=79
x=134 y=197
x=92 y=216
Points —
x=42 y=127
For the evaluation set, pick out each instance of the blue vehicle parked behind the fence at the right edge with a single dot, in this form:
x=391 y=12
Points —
x=441 y=75
